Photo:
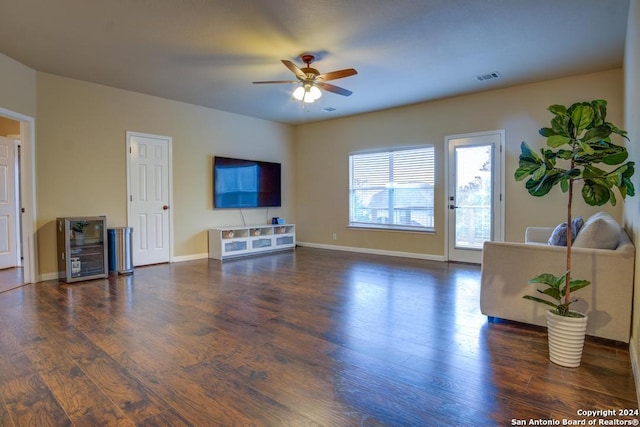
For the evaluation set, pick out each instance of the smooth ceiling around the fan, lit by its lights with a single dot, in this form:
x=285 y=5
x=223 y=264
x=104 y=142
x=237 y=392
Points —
x=208 y=52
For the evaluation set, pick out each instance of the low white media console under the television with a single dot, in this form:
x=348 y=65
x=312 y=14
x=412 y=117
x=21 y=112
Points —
x=234 y=241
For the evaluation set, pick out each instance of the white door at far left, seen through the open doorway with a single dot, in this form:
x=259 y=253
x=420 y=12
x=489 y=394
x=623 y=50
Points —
x=9 y=231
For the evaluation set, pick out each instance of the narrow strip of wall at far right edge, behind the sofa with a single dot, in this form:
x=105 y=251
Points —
x=632 y=125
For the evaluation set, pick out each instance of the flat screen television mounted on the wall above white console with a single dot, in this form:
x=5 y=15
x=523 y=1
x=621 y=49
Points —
x=240 y=183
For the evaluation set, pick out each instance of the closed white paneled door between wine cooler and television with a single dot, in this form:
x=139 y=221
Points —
x=149 y=181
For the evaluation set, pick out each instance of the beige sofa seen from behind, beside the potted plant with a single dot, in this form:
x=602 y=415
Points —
x=507 y=267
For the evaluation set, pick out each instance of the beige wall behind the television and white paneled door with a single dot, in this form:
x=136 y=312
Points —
x=81 y=161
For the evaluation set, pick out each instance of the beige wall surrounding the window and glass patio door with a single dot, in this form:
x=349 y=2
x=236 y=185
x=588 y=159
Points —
x=322 y=151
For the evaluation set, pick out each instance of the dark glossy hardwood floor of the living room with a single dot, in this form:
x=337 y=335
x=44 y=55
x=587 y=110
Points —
x=302 y=338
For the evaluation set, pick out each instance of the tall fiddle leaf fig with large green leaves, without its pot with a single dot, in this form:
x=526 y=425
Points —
x=578 y=149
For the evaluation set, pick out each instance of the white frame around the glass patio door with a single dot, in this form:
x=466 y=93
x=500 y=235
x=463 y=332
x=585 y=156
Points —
x=498 y=206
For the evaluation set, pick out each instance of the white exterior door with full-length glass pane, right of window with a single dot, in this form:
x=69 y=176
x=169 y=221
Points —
x=474 y=197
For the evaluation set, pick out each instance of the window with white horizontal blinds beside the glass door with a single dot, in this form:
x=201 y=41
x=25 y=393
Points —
x=392 y=189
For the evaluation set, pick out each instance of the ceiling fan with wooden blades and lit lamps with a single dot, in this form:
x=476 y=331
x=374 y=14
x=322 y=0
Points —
x=312 y=80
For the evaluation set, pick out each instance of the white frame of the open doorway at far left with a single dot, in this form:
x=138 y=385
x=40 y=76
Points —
x=28 y=217
